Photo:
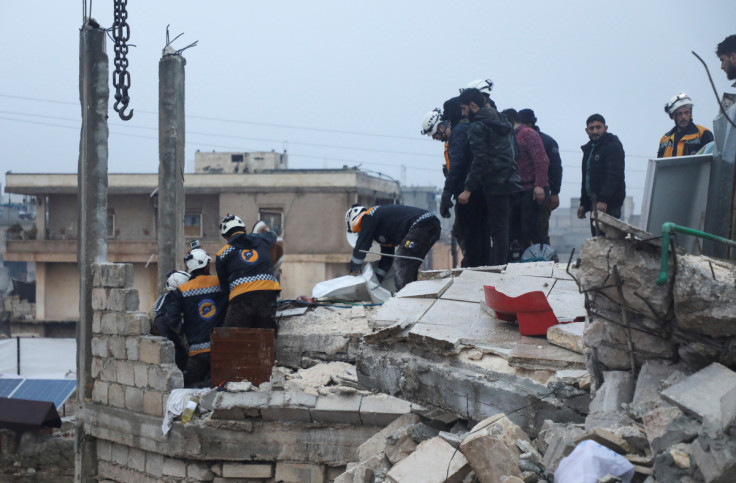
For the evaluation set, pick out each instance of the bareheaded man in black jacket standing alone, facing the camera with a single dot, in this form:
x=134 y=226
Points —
x=603 y=185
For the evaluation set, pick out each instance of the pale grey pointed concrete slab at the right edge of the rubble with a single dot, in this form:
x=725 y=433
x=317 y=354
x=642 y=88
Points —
x=718 y=383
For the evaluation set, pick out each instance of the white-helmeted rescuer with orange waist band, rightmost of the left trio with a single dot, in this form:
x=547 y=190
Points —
x=245 y=270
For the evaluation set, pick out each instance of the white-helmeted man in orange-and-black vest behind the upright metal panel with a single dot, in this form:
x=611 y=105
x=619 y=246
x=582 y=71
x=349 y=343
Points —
x=686 y=137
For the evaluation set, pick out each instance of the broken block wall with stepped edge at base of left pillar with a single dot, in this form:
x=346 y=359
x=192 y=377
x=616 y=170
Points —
x=134 y=373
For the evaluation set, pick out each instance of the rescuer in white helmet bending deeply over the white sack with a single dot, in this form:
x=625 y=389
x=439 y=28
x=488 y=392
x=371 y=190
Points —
x=412 y=230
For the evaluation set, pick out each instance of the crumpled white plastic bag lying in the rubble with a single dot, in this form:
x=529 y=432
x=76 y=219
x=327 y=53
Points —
x=590 y=461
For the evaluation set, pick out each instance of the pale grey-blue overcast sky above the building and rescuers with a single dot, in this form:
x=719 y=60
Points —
x=347 y=83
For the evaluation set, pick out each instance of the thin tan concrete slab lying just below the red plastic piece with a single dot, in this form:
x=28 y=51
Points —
x=538 y=354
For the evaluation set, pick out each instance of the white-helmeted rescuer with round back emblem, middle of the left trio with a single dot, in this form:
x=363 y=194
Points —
x=203 y=304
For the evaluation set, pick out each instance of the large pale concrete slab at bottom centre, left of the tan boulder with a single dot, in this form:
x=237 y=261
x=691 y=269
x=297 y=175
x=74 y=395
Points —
x=434 y=461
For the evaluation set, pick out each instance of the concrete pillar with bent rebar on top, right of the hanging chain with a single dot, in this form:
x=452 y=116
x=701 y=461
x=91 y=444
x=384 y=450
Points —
x=171 y=163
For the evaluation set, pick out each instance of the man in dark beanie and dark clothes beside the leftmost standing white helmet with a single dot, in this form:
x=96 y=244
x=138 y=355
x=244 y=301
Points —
x=471 y=218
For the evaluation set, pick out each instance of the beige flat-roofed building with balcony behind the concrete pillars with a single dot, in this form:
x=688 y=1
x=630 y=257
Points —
x=306 y=207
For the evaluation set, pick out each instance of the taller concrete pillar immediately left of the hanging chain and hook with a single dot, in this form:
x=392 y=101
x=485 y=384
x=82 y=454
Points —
x=92 y=221
